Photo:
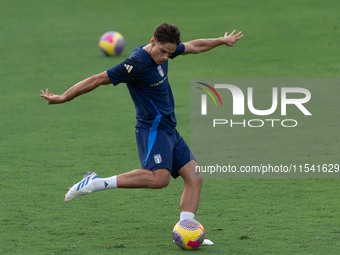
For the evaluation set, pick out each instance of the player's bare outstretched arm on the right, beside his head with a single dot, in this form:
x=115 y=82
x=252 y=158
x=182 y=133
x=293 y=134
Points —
x=202 y=45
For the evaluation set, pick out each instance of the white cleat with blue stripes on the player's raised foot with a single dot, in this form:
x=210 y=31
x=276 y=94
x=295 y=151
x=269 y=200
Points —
x=85 y=186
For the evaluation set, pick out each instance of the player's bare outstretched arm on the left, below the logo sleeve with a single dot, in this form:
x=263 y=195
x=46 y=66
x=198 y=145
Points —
x=78 y=89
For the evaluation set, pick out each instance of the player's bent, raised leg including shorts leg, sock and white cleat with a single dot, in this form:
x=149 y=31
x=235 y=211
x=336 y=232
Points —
x=155 y=154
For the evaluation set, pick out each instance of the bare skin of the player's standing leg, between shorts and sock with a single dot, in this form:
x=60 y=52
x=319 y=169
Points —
x=192 y=188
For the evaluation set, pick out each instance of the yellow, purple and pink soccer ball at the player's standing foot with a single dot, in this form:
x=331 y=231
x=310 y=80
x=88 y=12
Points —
x=188 y=234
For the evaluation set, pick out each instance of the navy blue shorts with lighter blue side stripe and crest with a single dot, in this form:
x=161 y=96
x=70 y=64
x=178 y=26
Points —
x=161 y=149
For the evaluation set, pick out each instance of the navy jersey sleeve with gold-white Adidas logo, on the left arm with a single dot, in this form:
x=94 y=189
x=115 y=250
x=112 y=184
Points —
x=128 y=71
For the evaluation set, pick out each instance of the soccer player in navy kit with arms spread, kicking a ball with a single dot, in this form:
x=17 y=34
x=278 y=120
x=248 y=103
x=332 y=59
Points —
x=162 y=151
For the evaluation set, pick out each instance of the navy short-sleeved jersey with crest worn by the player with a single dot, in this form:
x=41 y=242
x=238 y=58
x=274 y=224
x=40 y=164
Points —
x=149 y=88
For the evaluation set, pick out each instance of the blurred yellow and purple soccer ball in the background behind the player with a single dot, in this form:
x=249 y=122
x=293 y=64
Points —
x=111 y=43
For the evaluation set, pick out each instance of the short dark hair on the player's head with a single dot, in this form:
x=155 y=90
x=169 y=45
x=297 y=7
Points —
x=167 y=33
